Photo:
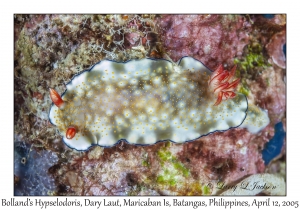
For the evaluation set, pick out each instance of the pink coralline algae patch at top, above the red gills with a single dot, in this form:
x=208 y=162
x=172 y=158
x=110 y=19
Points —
x=212 y=39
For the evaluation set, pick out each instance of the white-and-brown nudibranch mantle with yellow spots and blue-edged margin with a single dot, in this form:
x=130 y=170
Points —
x=143 y=101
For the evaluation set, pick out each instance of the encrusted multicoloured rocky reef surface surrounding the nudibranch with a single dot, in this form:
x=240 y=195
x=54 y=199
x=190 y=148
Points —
x=51 y=49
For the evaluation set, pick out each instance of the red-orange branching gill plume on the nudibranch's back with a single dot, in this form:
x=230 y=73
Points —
x=222 y=84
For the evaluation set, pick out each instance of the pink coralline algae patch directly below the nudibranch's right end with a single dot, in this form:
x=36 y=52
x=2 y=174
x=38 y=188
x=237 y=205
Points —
x=233 y=152
